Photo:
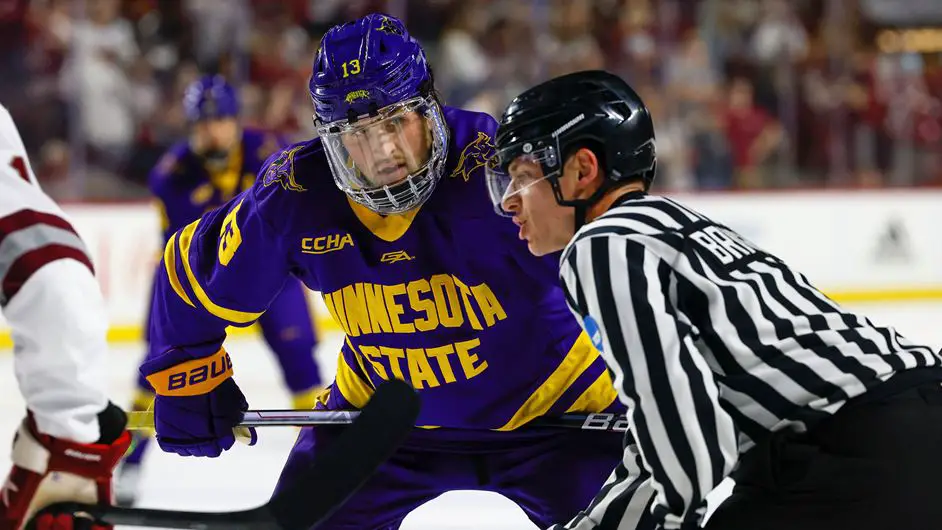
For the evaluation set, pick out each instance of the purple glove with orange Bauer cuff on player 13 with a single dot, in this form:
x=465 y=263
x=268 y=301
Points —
x=197 y=404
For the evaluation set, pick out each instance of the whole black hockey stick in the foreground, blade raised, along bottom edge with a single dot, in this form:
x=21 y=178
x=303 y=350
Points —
x=345 y=465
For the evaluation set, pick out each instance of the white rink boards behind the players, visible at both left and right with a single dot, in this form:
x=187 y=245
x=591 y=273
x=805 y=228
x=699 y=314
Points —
x=865 y=245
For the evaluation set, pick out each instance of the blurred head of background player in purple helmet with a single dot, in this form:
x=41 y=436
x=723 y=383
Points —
x=212 y=107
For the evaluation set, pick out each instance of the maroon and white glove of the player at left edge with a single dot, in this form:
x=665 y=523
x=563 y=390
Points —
x=47 y=470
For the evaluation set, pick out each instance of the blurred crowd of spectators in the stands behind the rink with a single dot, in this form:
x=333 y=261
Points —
x=745 y=93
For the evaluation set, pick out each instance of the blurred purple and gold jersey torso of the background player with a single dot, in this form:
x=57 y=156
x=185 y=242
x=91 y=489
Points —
x=185 y=189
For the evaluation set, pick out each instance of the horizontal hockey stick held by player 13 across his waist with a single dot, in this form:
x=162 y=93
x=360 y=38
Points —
x=596 y=421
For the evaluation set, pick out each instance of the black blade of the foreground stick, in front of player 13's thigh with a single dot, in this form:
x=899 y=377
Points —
x=350 y=460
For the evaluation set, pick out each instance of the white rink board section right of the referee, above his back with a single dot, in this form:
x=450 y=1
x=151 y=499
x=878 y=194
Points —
x=844 y=242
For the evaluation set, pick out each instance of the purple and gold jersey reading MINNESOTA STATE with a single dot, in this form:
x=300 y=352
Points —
x=445 y=297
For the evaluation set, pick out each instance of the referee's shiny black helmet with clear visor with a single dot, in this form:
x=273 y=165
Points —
x=594 y=109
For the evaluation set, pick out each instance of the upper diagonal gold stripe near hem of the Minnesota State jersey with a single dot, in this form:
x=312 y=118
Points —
x=577 y=360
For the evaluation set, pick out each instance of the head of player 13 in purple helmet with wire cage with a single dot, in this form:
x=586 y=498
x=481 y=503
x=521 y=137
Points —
x=377 y=115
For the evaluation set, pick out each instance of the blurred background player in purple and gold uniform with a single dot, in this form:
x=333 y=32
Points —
x=219 y=161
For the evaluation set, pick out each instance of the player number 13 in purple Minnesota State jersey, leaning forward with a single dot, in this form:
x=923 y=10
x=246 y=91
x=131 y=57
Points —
x=387 y=214
